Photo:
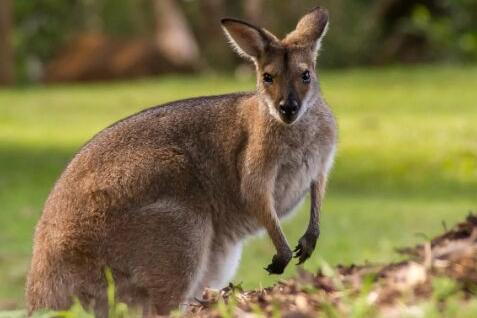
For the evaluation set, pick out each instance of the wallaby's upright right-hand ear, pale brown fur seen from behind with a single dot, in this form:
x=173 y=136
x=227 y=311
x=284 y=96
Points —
x=310 y=30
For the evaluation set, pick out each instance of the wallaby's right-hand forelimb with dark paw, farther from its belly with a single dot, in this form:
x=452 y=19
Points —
x=306 y=244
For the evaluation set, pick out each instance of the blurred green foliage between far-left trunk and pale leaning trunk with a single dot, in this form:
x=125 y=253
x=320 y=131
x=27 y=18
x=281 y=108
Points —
x=42 y=28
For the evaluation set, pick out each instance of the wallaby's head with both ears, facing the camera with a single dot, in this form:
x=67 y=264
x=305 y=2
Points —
x=286 y=78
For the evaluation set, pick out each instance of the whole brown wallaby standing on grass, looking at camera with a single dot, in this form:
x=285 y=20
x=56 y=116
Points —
x=165 y=198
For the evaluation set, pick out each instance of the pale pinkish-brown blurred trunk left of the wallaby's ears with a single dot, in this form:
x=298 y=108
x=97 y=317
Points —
x=174 y=39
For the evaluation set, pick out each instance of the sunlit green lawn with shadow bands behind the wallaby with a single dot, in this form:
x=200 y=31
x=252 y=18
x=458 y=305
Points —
x=407 y=159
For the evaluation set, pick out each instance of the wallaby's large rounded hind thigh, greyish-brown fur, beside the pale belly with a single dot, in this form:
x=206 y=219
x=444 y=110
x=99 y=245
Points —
x=170 y=247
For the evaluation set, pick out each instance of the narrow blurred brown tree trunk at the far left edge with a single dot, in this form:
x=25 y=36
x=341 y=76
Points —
x=6 y=52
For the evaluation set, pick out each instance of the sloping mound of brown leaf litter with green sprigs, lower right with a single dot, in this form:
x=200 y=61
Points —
x=443 y=267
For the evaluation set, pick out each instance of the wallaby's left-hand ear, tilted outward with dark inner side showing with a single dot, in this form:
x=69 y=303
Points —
x=248 y=40
